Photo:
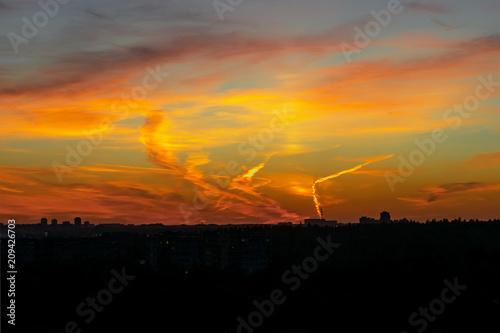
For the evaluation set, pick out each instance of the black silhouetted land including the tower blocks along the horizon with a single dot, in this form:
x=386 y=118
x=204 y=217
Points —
x=220 y=274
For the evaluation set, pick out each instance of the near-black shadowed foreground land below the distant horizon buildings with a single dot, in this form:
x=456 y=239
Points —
x=441 y=277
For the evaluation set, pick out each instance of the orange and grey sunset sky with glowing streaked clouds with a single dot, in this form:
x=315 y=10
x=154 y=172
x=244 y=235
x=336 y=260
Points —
x=253 y=111
